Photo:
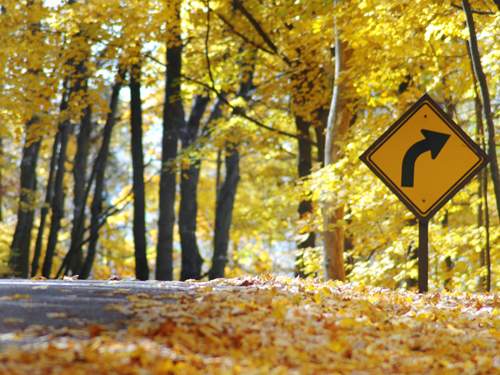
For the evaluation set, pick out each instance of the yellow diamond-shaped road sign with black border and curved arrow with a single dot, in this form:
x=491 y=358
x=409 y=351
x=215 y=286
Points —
x=425 y=158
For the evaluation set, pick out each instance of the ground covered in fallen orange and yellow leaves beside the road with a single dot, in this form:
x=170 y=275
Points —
x=267 y=325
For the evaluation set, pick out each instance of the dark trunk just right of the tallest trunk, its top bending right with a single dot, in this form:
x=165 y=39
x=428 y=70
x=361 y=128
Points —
x=191 y=259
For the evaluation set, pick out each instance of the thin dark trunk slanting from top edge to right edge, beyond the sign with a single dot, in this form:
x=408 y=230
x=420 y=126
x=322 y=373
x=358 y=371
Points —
x=485 y=96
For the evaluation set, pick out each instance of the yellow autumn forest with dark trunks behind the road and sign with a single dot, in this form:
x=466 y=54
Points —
x=176 y=140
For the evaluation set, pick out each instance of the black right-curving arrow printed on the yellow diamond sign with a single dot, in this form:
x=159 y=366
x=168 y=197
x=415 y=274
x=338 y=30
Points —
x=433 y=142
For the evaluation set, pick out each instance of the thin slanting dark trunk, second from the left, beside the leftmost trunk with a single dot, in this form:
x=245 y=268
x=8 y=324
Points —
x=45 y=209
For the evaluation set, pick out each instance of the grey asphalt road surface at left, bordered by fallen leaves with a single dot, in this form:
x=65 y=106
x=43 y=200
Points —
x=54 y=304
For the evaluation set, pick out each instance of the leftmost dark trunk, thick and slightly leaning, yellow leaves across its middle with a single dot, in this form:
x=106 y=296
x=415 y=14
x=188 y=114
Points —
x=19 y=257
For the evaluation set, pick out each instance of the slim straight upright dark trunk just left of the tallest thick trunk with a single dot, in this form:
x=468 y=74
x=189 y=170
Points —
x=139 y=226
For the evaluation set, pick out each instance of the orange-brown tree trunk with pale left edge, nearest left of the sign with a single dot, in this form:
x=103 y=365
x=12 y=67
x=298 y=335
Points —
x=338 y=125
